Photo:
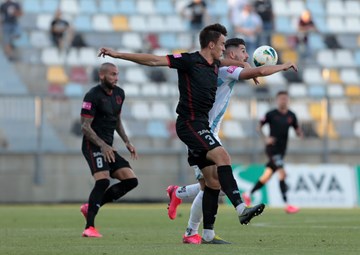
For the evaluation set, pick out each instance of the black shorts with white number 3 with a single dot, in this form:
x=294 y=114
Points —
x=199 y=140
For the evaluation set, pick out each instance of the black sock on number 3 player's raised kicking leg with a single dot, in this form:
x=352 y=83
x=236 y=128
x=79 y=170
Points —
x=229 y=185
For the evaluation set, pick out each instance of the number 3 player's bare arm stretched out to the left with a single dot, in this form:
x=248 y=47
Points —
x=139 y=58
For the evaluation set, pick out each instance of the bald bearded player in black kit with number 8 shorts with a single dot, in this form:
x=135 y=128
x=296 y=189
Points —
x=100 y=117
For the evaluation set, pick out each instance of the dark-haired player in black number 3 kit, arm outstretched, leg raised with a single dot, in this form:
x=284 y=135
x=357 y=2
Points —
x=197 y=75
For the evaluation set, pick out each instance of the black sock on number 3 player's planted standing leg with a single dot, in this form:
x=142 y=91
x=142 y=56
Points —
x=210 y=206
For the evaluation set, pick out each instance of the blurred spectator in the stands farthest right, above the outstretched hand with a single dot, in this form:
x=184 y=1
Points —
x=306 y=25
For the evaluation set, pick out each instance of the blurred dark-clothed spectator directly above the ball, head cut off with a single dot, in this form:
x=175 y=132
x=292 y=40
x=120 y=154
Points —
x=264 y=9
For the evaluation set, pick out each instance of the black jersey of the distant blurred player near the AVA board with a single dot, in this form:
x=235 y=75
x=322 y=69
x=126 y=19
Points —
x=279 y=126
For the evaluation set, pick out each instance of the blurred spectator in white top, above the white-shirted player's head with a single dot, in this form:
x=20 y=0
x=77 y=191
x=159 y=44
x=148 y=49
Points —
x=248 y=26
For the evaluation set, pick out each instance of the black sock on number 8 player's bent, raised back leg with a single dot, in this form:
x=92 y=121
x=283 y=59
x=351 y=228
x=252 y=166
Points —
x=118 y=190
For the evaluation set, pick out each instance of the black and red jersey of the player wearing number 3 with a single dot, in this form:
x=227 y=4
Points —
x=197 y=85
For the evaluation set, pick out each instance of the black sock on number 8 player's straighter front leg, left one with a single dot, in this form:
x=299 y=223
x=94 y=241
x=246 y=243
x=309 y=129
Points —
x=95 y=200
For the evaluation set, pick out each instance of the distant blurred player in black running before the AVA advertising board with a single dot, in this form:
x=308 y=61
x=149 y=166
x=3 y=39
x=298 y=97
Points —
x=279 y=120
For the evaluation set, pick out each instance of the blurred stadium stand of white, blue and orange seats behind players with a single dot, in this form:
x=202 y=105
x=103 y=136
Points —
x=330 y=73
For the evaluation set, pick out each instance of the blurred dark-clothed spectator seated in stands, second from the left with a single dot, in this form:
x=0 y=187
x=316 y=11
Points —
x=59 y=29
